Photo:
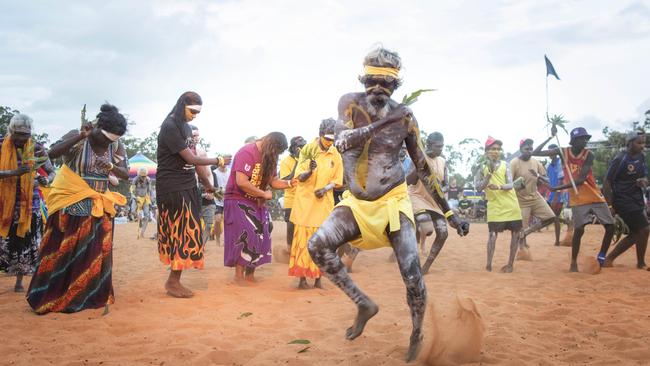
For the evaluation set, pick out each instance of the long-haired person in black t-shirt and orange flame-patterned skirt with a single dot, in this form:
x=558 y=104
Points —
x=177 y=195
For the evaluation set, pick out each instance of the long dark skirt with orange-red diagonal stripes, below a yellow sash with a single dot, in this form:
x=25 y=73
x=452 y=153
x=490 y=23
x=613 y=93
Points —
x=76 y=262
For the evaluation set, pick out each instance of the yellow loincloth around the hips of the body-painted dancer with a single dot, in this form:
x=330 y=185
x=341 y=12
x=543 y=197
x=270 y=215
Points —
x=374 y=216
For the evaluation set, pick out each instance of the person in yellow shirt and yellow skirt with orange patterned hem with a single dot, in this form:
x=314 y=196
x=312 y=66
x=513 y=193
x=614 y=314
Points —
x=320 y=170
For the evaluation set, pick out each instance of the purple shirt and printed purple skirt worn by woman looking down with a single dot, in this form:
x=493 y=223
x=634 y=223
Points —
x=247 y=241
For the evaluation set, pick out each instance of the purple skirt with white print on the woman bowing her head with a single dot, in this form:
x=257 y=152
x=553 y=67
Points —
x=246 y=237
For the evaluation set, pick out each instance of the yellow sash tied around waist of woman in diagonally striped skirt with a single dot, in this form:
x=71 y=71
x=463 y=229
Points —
x=69 y=188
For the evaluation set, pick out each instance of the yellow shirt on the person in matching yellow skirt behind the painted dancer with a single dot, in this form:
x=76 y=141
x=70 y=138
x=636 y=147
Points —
x=308 y=210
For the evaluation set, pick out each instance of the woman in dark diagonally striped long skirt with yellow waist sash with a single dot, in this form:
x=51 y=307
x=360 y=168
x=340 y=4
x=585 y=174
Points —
x=75 y=270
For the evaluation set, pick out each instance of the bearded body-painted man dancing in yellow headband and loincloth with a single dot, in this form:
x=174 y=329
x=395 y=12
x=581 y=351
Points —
x=377 y=211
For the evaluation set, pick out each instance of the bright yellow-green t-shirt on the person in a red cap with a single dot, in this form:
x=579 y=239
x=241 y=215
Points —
x=502 y=205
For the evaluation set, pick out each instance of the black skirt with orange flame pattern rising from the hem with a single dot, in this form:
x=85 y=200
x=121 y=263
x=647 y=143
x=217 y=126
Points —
x=179 y=229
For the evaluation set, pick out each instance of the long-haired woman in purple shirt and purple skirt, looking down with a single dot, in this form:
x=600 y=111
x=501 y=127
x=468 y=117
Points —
x=247 y=242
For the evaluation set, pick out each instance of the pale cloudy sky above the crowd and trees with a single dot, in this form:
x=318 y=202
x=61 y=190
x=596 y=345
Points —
x=269 y=65
